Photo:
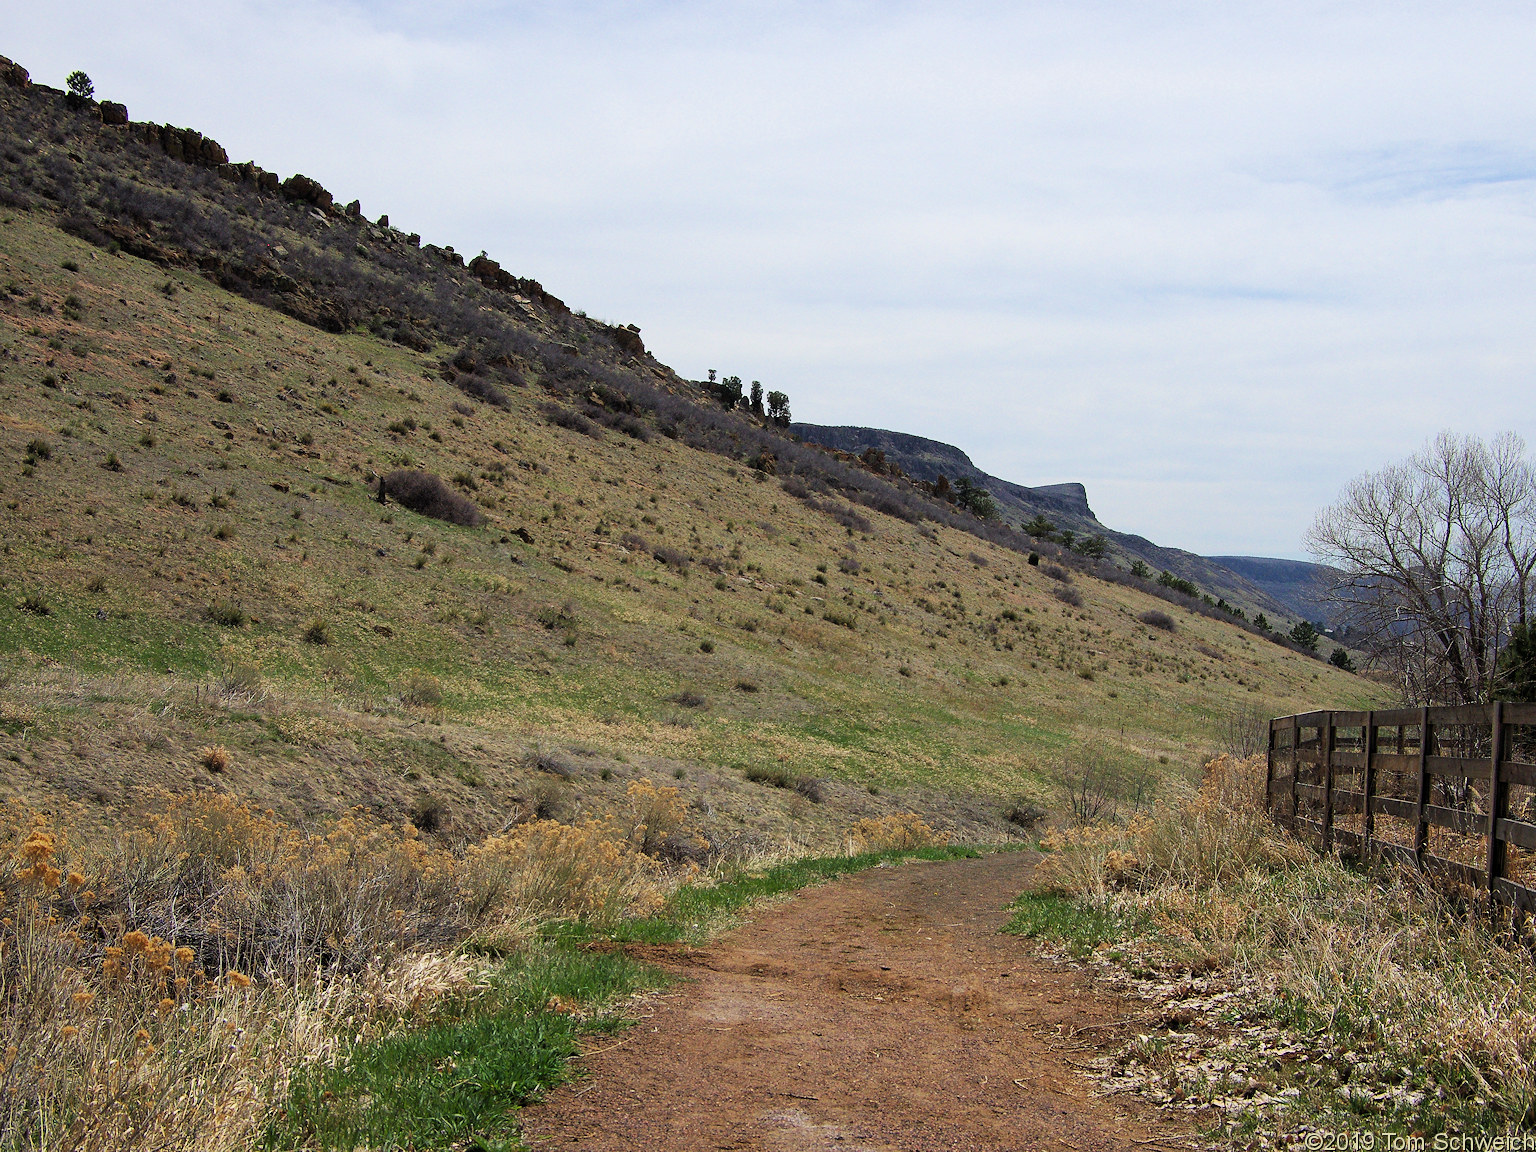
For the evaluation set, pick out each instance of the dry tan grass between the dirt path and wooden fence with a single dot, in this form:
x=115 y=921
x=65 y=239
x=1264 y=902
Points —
x=1412 y=1008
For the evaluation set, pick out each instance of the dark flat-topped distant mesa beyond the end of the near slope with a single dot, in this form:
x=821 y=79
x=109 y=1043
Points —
x=1065 y=506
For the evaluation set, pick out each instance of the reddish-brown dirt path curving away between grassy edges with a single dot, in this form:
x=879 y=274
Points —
x=881 y=1013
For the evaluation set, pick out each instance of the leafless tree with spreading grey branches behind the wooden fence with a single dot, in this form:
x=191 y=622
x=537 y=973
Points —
x=1437 y=557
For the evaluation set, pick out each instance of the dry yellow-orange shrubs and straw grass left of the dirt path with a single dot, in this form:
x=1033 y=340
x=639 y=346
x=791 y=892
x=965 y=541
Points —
x=157 y=990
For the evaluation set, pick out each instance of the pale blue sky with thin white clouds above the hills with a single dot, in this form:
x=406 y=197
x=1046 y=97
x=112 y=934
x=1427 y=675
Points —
x=1210 y=260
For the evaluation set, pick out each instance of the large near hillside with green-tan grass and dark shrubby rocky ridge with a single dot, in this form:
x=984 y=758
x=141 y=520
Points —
x=207 y=372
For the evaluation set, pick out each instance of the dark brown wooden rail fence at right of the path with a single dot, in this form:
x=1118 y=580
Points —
x=1449 y=792
